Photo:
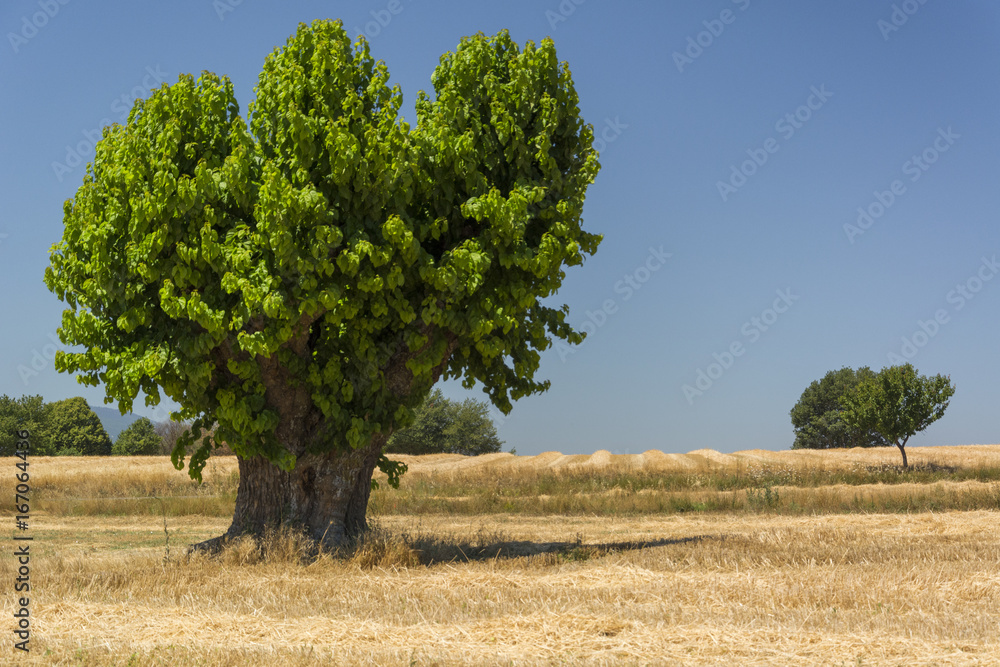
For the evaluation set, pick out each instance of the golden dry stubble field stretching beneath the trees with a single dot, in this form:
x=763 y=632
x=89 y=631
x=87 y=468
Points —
x=833 y=558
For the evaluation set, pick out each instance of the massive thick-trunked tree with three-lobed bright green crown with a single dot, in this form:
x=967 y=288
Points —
x=304 y=278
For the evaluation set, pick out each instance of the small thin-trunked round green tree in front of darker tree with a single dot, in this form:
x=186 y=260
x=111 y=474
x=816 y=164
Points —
x=897 y=403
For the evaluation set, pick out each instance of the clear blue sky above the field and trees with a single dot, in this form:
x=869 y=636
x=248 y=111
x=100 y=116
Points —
x=823 y=177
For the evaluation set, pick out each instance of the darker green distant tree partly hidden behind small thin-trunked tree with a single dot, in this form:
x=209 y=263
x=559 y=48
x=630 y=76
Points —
x=817 y=417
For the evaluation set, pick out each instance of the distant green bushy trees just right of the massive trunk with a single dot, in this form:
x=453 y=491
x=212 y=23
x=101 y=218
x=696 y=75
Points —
x=442 y=426
